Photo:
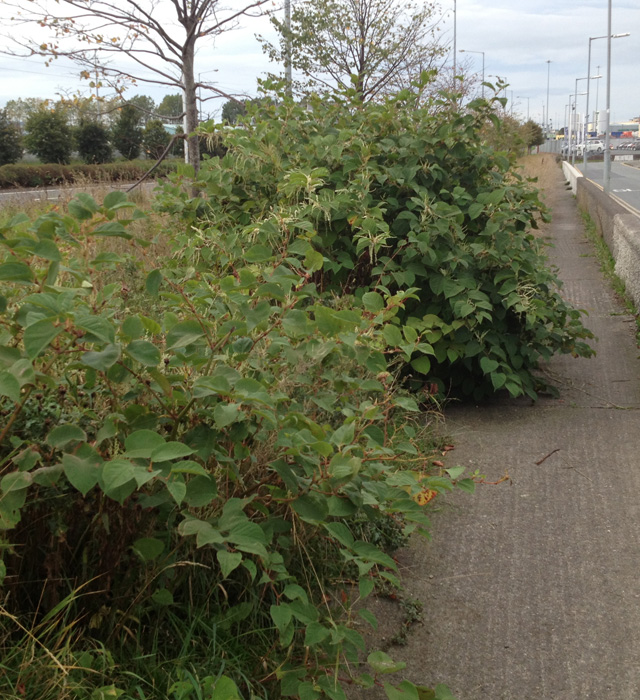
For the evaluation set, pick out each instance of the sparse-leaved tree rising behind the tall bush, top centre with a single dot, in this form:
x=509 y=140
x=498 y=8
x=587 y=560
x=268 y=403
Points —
x=374 y=46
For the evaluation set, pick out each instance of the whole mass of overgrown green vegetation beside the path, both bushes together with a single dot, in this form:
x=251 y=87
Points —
x=204 y=454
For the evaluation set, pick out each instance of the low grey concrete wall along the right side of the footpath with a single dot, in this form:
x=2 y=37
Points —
x=620 y=229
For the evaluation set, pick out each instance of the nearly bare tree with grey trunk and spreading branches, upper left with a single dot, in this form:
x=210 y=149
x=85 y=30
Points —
x=131 y=41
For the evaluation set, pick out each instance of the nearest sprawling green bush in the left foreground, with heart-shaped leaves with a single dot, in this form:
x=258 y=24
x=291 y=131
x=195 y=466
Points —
x=183 y=445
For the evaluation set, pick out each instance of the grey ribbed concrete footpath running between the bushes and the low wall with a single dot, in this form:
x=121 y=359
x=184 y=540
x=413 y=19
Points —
x=531 y=588
